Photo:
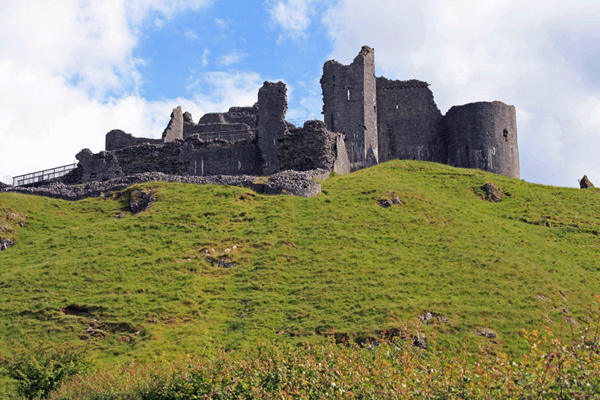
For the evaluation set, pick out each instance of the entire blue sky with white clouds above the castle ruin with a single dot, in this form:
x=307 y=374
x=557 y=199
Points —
x=72 y=70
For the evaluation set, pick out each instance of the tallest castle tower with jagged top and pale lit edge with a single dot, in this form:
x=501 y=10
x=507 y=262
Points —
x=350 y=106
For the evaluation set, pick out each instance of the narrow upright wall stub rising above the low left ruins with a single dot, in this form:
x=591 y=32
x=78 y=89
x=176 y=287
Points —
x=272 y=107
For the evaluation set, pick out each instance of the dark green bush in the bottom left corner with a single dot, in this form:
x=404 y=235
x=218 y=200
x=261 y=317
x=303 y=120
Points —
x=40 y=370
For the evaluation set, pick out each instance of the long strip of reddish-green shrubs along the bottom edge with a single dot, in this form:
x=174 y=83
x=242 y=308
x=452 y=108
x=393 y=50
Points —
x=550 y=369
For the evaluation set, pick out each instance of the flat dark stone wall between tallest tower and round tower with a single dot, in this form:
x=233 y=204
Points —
x=408 y=122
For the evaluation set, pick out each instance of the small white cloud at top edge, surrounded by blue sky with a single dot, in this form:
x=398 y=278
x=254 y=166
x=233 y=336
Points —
x=292 y=16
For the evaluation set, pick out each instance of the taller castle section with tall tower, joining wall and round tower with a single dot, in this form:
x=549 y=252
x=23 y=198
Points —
x=409 y=124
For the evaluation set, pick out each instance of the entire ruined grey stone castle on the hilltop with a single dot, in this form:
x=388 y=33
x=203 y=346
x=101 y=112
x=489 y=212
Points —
x=367 y=120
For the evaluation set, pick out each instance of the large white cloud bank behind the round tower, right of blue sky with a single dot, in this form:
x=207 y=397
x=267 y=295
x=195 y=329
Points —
x=540 y=55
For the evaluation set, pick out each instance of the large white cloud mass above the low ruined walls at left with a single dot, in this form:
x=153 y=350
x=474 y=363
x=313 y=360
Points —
x=68 y=76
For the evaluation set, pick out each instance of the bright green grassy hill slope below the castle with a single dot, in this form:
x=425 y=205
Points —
x=138 y=285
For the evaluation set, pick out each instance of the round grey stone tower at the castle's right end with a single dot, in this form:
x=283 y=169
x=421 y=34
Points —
x=483 y=135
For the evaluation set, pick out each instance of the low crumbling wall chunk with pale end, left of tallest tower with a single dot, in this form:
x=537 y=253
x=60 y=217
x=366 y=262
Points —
x=313 y=147
